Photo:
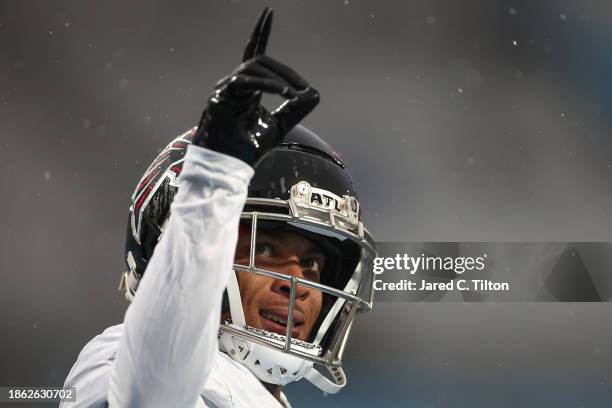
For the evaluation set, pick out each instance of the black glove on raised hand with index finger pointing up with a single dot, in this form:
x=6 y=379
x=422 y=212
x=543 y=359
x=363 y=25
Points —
x=234 y=122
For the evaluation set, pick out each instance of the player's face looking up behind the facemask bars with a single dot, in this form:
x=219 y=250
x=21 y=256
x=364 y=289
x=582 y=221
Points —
x=265 y=300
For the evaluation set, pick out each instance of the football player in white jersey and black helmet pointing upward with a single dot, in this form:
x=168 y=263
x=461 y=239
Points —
x=247 y=258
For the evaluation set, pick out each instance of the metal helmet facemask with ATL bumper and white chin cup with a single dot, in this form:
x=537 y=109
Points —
x=345 y=288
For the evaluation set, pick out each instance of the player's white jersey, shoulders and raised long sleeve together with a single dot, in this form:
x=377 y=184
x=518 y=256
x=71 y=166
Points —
x=166 y=353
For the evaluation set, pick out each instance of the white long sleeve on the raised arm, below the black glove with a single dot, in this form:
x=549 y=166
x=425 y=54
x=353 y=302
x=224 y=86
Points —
x=169 y=338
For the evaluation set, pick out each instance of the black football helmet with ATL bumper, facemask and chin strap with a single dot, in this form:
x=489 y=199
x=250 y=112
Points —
x=301 y=185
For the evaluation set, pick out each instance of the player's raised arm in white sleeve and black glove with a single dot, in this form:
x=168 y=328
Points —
x=169 y=338
